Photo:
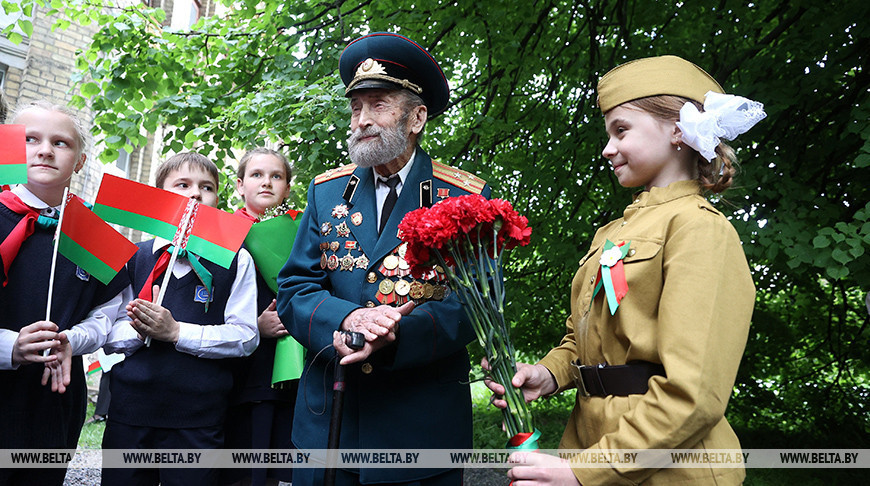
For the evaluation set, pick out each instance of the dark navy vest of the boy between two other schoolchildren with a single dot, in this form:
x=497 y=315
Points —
x=158 y=386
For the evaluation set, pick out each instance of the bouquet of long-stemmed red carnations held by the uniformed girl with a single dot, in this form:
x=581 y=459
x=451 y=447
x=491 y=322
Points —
x=467 y=237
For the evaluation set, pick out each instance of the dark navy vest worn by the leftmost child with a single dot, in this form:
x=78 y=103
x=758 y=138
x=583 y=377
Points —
x=31 y=415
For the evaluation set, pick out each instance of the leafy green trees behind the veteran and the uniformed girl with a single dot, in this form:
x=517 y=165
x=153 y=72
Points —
x=524 y=117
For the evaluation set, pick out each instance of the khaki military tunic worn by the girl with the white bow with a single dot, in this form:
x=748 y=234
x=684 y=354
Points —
x=689 y=303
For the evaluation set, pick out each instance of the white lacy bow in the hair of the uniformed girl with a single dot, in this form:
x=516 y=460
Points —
x=724 y=116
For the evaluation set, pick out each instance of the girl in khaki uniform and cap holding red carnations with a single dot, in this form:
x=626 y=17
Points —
x=661 y=304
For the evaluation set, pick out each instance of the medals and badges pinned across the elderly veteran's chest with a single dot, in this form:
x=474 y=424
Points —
x=398 y=292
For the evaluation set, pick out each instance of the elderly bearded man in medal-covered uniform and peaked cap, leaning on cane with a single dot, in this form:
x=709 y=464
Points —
x=407 y=387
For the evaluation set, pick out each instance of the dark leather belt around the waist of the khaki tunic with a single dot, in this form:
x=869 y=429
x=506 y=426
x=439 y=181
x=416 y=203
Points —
x=621 y=380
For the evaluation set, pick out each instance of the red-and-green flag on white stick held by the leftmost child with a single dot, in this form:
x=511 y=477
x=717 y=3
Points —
x=90 y=243
